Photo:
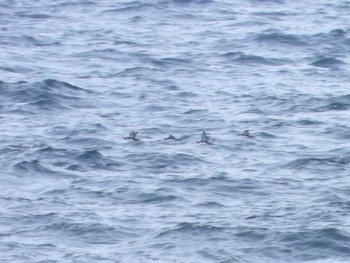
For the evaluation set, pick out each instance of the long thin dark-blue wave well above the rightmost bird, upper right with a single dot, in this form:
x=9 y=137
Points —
x=240 y=57
